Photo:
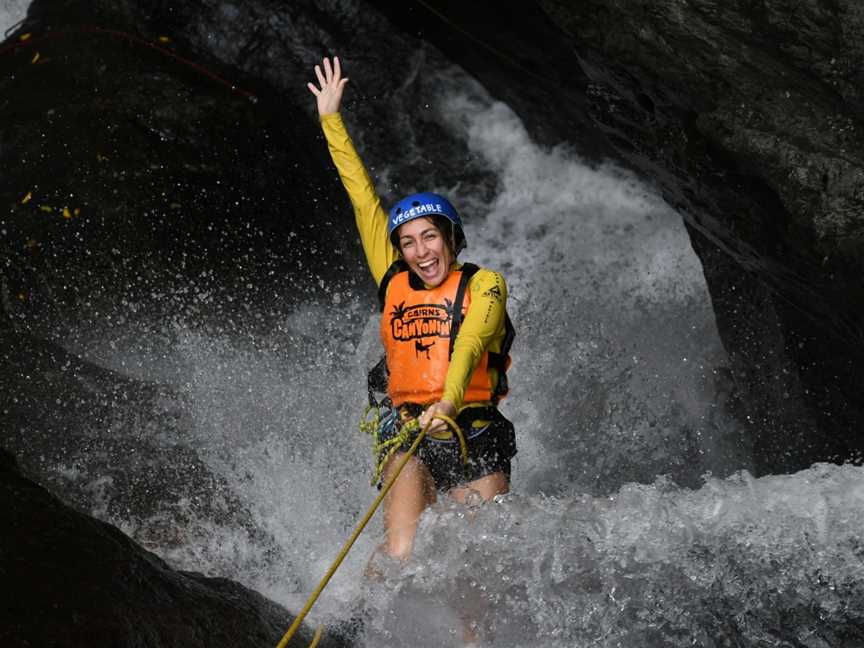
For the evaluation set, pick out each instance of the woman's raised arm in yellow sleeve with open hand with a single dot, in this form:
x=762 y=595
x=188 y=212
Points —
x=368 y=214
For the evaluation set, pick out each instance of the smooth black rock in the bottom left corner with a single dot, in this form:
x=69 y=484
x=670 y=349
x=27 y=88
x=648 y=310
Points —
x=74 y=581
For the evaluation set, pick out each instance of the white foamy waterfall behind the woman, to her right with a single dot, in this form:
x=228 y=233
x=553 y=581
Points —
x=618 y=370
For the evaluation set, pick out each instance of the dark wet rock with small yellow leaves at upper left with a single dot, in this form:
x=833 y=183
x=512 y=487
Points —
x=136 y=170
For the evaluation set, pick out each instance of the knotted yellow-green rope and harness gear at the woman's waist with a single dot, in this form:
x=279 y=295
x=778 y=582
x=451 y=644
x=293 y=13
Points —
x=397 y=431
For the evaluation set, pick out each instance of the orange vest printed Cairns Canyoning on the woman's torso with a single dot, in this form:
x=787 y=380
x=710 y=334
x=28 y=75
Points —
x=416 y=331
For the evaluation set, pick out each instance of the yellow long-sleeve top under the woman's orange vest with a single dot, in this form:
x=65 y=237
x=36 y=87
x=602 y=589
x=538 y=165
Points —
x=483 y=325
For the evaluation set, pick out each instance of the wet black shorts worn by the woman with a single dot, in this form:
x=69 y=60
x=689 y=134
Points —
x=491 y=442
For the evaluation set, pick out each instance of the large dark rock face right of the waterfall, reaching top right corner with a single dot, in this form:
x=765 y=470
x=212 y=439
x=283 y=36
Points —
x=747 y=117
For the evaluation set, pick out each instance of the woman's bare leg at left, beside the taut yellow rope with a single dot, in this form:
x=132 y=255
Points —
x=412 y=493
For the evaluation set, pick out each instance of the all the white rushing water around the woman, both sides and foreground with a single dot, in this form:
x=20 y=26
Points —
x=633 y=521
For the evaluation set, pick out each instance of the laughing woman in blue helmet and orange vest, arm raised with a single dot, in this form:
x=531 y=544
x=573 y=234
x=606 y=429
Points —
x=441 y=359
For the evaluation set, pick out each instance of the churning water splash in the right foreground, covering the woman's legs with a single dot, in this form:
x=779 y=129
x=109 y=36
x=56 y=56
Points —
x=741 y=561
